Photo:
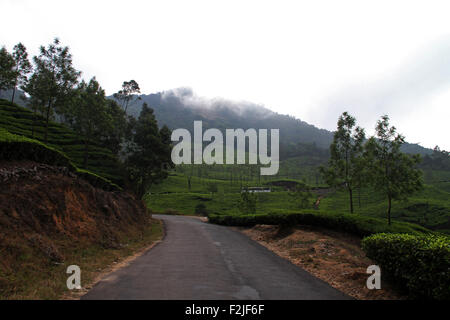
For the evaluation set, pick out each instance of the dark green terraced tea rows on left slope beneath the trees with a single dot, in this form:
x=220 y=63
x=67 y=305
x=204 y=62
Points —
x=19 y=121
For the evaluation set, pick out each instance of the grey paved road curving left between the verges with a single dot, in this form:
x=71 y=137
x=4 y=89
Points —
x=197 y=260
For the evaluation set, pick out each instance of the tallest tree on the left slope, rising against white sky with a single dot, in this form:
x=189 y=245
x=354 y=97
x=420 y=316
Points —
x=53 y=80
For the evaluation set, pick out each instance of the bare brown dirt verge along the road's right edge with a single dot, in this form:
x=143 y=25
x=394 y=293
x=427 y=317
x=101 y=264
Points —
x=333 y=257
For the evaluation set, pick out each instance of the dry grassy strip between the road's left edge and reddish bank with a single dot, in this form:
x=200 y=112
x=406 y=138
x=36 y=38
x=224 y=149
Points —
x=38 y=278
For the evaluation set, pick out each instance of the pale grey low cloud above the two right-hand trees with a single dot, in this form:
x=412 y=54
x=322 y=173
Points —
x=406 y=90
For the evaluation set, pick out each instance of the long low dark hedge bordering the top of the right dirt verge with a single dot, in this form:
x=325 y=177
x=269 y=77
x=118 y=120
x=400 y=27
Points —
x=361 y=226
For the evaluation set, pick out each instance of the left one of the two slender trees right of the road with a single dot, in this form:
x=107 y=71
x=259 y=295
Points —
x=345 y=153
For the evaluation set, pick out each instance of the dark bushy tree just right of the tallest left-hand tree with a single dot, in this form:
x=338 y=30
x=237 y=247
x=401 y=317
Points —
x=88 y=115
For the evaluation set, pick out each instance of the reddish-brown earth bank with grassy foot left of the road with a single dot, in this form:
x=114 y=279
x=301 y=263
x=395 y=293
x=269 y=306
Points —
x=50 y=219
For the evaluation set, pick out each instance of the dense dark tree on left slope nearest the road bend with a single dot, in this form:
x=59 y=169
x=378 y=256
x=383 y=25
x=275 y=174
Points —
x=150 y=152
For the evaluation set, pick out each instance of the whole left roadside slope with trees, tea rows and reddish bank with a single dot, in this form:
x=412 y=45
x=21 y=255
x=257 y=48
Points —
x=67 y=129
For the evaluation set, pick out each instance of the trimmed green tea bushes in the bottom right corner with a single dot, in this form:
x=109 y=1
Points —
x=421 y=264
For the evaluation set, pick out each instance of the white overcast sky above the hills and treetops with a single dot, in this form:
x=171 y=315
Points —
x=309 y=59
